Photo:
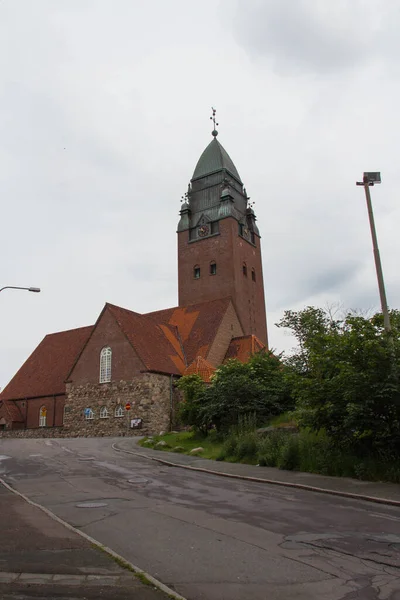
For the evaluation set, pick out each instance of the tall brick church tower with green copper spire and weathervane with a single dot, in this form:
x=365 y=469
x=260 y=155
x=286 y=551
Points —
x=219 y=251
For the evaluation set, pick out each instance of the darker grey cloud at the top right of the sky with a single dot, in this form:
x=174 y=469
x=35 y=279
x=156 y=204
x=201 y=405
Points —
x=308 y=35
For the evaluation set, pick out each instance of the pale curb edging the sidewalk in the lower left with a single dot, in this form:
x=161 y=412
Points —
x=158 y=584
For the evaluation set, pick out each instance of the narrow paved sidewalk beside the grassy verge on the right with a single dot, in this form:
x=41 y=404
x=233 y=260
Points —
x=386 y=491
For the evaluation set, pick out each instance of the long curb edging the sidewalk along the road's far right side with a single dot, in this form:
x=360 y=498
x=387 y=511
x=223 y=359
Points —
x=299 y=486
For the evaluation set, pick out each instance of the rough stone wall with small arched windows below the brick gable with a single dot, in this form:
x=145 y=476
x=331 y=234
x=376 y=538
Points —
x=149 y=395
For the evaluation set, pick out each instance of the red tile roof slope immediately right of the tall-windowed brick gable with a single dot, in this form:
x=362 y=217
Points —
x=156 y=344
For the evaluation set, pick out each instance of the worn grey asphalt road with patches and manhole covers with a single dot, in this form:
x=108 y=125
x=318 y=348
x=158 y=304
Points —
x=209 y=537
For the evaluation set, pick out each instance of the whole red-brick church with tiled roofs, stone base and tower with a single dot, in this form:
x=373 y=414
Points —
x=117 y=377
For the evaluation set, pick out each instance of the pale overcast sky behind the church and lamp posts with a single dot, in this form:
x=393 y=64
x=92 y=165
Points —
x=104 y=112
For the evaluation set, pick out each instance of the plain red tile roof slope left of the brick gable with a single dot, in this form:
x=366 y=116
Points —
x=45 y=371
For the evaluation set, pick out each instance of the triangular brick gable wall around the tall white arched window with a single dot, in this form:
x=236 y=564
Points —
x=125 y=362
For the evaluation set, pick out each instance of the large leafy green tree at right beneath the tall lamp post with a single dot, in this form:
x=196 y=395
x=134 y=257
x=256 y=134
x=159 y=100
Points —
x=344 y=378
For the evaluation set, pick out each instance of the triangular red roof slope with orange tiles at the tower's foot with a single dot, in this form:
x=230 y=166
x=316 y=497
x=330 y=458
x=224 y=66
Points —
x=196 y=325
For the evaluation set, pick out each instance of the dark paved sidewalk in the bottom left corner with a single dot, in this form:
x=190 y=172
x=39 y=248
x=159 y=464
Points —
x=42 y=559
